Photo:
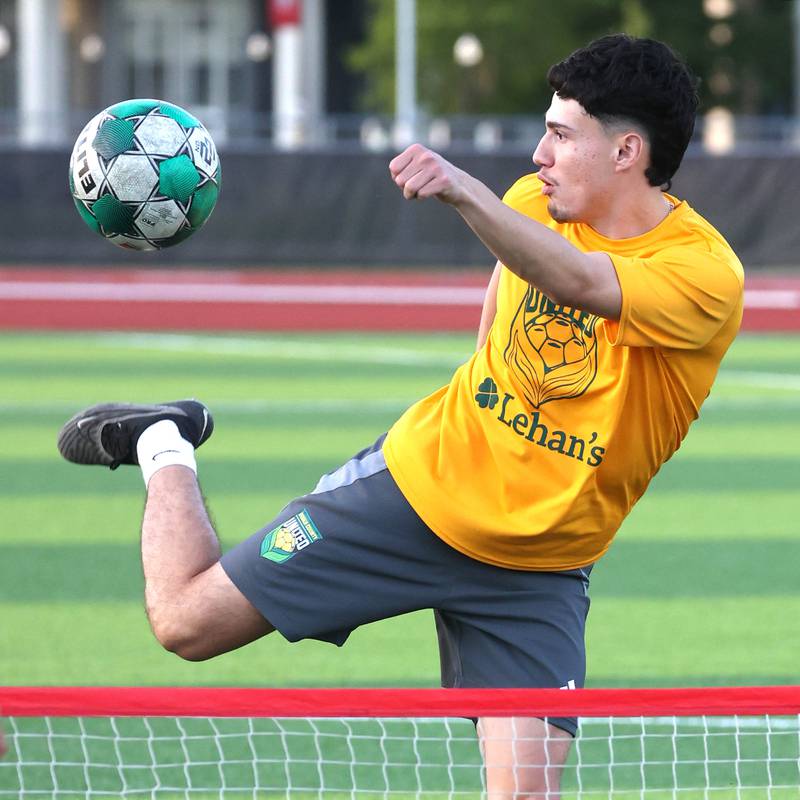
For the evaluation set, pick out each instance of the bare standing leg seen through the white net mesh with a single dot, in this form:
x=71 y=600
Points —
x=523 y=757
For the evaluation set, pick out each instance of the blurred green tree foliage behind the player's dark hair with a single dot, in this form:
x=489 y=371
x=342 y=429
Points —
x=744 y=61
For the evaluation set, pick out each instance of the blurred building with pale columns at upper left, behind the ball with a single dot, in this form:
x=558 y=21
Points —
x=63 y=60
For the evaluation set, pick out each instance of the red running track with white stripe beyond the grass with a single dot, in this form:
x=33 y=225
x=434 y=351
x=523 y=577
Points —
x=289 y=300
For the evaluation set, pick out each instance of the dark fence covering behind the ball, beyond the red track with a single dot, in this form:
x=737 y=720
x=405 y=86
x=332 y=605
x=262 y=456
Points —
x=341 y=209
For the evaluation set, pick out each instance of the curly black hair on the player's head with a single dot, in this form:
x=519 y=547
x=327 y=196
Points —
x=620 y=78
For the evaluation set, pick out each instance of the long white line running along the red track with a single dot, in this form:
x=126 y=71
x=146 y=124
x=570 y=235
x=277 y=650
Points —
x=281 y=293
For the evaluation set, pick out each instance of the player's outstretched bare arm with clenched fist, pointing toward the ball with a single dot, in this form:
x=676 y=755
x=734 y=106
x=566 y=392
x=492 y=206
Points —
x=530 y=250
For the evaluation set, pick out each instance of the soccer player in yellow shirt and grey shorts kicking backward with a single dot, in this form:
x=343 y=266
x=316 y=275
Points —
x=604 y=323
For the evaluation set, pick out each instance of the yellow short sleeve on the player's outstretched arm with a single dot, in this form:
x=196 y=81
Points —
x=677 y=299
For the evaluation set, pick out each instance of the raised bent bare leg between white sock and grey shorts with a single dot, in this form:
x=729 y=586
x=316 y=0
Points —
x=193 y=607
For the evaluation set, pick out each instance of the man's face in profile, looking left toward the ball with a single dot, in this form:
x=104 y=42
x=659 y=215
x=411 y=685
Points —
x=576 y=157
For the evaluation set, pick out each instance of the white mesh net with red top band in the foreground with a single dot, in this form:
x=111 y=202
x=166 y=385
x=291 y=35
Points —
x=688 y=744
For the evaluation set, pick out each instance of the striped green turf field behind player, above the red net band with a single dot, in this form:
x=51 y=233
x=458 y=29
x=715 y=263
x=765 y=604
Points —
x=700 y=587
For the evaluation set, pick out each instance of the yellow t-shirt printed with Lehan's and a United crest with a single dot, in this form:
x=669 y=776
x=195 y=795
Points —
x=542 y=442
